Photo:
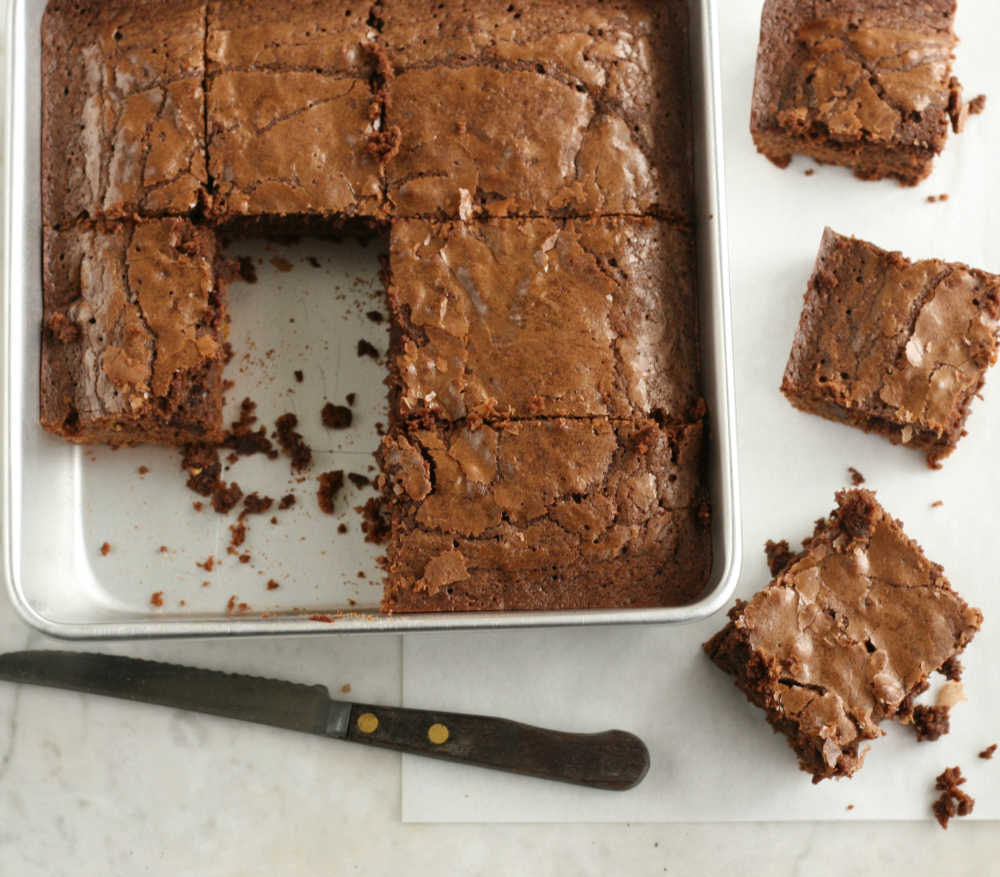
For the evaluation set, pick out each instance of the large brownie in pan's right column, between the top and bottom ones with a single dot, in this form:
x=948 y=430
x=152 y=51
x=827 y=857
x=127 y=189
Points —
x=541 y=318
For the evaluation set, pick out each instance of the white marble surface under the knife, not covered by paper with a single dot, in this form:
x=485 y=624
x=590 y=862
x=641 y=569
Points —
x=91 y=786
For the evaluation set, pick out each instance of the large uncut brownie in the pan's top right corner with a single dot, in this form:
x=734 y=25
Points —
x=596 y=97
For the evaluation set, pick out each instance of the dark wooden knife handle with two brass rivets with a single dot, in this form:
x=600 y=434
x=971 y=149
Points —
x=614 y=760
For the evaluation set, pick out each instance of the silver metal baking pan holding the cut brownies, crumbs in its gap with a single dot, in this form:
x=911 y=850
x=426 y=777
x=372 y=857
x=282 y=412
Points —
x=62 y=502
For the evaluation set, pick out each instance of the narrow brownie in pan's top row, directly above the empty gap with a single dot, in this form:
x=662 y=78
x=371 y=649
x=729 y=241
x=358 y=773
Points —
x=292 y=111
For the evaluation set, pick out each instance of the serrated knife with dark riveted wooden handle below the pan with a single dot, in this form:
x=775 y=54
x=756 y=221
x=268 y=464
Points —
x=613 y=760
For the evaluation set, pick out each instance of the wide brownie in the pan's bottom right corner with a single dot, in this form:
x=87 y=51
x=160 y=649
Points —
x=544 y=514
